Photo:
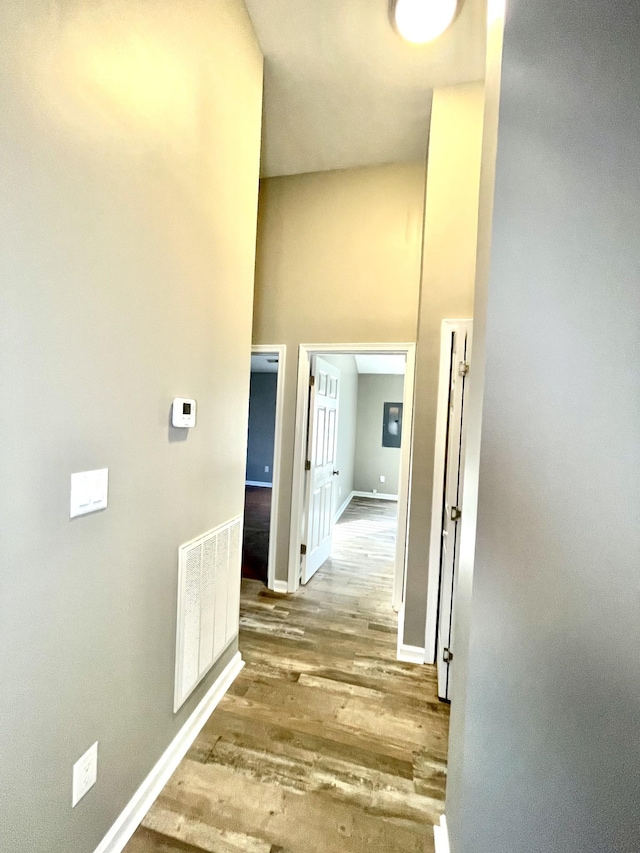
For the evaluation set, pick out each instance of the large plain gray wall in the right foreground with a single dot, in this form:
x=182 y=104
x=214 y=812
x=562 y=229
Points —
x=549 y=714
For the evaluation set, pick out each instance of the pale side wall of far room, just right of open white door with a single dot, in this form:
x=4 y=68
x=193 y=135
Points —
x=346 y=452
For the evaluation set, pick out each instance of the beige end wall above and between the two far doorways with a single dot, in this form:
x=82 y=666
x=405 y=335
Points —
x=354 y=239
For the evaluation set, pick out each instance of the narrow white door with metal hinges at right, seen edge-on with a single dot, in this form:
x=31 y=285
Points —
x=452 y=509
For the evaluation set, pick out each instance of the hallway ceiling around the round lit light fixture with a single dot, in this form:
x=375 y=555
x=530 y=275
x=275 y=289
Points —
x=342 y=89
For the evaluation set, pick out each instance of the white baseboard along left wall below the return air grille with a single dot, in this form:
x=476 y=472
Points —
x=116 y=839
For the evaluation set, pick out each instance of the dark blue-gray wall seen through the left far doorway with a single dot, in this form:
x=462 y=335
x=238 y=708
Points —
x=262 y=426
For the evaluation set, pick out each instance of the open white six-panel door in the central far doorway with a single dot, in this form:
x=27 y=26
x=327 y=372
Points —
x=321 y=464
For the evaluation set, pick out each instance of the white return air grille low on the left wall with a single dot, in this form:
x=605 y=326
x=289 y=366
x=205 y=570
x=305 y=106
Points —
x=208 y=603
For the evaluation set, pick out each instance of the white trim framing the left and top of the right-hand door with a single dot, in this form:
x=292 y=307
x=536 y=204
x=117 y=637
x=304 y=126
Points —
x=433 y=576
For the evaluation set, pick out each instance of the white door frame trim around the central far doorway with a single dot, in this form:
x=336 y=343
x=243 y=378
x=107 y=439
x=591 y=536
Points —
x=305 y=351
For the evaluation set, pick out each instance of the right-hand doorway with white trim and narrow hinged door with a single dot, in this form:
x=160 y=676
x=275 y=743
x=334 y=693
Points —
x=444 y=551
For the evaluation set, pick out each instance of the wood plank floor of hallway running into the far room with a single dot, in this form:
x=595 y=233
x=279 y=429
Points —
x=325 y=743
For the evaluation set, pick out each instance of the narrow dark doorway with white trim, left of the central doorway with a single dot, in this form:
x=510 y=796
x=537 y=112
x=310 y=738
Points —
x=263 y=463
